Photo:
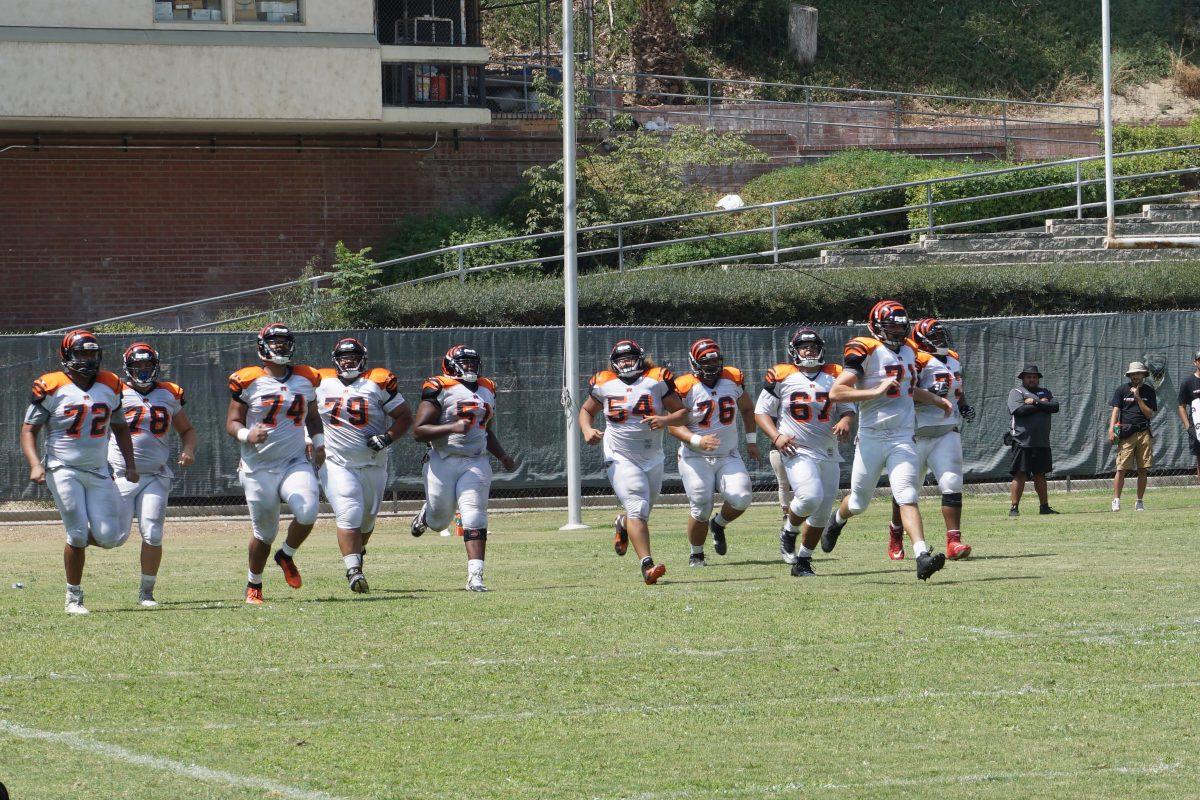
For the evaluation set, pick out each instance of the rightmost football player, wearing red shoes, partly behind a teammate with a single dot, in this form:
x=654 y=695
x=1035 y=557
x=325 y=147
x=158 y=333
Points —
x=939 y=443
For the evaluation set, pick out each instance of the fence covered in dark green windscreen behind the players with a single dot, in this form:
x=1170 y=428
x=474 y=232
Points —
x=1083 y=358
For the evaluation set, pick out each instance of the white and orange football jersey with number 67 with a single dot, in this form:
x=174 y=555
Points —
x=800 y=404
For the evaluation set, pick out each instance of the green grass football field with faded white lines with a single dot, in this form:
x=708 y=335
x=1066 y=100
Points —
x=1063 y=661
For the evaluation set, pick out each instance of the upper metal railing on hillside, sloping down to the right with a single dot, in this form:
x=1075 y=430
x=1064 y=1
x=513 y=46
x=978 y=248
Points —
x=889 y=118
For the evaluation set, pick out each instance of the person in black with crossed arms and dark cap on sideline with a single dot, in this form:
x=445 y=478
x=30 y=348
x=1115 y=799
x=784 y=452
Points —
x=1031 y=406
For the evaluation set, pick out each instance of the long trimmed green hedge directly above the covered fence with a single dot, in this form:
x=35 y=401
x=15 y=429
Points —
x=718 y=297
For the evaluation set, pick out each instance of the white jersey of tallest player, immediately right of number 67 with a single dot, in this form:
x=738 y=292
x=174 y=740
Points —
x=875 y=363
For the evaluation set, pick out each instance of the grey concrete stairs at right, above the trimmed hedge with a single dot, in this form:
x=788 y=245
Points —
x=1060 y=242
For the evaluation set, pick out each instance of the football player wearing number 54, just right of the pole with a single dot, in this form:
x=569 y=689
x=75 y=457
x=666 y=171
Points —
x=639 y=401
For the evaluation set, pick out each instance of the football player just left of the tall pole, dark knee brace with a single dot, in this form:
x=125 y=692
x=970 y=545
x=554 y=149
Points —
x=455 y=419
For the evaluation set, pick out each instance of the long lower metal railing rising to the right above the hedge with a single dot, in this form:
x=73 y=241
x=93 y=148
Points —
x=623 y=246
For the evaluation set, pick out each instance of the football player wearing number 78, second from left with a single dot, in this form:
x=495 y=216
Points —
x=153 y=408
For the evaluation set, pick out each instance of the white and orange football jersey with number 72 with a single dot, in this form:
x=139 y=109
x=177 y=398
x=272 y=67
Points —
x=76 y=419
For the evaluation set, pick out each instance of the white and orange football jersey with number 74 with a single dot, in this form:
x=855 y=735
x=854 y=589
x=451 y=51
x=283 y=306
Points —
x=280 y=405
